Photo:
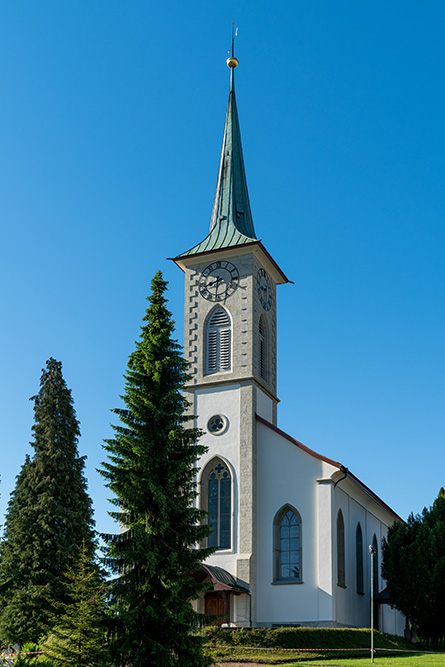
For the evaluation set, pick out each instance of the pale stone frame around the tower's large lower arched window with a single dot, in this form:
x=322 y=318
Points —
x=224 y=515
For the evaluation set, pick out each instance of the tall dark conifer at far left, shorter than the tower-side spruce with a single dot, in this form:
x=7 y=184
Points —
x=49 y=516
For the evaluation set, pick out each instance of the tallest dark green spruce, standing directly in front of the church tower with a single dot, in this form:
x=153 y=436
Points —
x=151 y=469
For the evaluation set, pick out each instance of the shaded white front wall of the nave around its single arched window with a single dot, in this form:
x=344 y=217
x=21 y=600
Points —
x=287 y=475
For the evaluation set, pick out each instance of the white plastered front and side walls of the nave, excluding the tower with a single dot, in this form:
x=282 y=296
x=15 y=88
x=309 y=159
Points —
x=317 y=489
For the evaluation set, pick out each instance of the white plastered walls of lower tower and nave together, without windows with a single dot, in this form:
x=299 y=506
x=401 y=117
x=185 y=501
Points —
x=287 y=473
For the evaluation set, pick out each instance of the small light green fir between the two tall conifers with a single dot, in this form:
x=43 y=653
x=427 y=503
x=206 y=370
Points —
x=78 y=636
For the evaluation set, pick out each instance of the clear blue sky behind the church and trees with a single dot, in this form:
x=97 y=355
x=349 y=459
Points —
x=111 y=117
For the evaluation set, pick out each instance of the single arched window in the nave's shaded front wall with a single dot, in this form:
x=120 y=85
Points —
x=287 y=545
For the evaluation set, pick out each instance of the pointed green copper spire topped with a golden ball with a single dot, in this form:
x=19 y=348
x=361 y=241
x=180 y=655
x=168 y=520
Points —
x=231 y=223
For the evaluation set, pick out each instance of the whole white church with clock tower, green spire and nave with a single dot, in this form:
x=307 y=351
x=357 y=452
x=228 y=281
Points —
x=291 y=527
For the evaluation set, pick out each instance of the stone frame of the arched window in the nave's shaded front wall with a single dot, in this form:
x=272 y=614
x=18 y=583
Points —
x=278 y=554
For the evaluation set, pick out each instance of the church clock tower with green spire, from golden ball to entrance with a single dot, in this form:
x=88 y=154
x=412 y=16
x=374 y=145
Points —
x=230 y=343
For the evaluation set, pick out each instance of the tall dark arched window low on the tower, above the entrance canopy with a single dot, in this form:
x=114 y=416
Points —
x=217 y=488
